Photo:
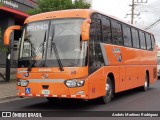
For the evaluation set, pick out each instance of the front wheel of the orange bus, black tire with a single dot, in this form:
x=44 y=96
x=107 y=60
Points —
x=109 y=92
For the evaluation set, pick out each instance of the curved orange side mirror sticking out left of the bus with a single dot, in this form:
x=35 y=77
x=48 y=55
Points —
x=8 y=33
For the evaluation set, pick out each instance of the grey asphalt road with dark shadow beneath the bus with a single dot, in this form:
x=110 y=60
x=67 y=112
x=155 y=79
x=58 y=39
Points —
x=132 y=100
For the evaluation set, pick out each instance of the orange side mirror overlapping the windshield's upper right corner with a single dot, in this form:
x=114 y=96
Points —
x=85 y=29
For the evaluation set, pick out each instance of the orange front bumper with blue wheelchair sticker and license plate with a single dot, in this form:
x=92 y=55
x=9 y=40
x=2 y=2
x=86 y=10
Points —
x=58 y=90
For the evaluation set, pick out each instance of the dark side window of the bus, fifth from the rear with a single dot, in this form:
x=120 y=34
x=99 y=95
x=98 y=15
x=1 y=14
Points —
x=127 y=36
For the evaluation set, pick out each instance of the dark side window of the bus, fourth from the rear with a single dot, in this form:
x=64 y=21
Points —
x=135 y=38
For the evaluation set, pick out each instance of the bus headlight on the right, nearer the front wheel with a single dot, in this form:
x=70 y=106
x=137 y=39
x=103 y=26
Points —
x=74 y=83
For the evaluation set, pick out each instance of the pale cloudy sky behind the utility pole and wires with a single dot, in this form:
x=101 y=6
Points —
x=149 y=13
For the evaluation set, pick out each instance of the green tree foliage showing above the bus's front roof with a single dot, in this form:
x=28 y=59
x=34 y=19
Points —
x=53 y=5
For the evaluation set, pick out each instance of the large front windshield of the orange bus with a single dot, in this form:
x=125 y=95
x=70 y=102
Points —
x=37 y=39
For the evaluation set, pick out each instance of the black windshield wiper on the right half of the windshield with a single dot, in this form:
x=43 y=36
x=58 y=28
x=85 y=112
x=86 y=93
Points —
x=57 y=55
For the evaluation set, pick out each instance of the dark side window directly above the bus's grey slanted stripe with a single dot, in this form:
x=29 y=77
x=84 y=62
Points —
x=106 y=30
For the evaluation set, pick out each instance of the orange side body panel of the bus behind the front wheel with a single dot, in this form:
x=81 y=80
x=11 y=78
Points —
x=132 y=69
